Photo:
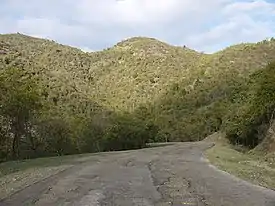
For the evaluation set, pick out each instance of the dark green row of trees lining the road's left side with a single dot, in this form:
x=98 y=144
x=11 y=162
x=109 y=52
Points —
x=33 y=126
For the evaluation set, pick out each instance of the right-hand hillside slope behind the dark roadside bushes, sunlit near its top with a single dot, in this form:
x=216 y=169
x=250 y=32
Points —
x=194 y=108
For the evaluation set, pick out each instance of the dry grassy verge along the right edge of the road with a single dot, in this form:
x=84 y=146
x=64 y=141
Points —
x=253 y=167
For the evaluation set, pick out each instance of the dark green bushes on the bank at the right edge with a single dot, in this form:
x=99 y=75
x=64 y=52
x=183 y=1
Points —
x=250 y=116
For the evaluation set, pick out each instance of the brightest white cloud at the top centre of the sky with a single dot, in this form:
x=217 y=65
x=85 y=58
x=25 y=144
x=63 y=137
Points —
x=127 y=11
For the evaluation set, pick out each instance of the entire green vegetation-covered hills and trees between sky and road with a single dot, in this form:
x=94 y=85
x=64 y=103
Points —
x=59 y=100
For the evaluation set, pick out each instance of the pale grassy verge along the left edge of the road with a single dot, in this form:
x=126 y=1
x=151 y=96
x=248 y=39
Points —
x=16 y=175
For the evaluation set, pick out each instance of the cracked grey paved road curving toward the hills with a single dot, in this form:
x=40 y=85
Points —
x=161 y=176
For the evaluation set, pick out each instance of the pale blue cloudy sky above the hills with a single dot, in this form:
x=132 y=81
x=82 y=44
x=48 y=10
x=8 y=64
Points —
x=92 y=25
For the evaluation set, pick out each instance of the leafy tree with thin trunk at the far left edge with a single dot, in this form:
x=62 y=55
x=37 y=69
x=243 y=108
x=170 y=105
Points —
x=19 y=102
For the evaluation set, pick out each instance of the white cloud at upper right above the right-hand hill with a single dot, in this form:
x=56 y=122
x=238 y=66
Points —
x=242 y=22
